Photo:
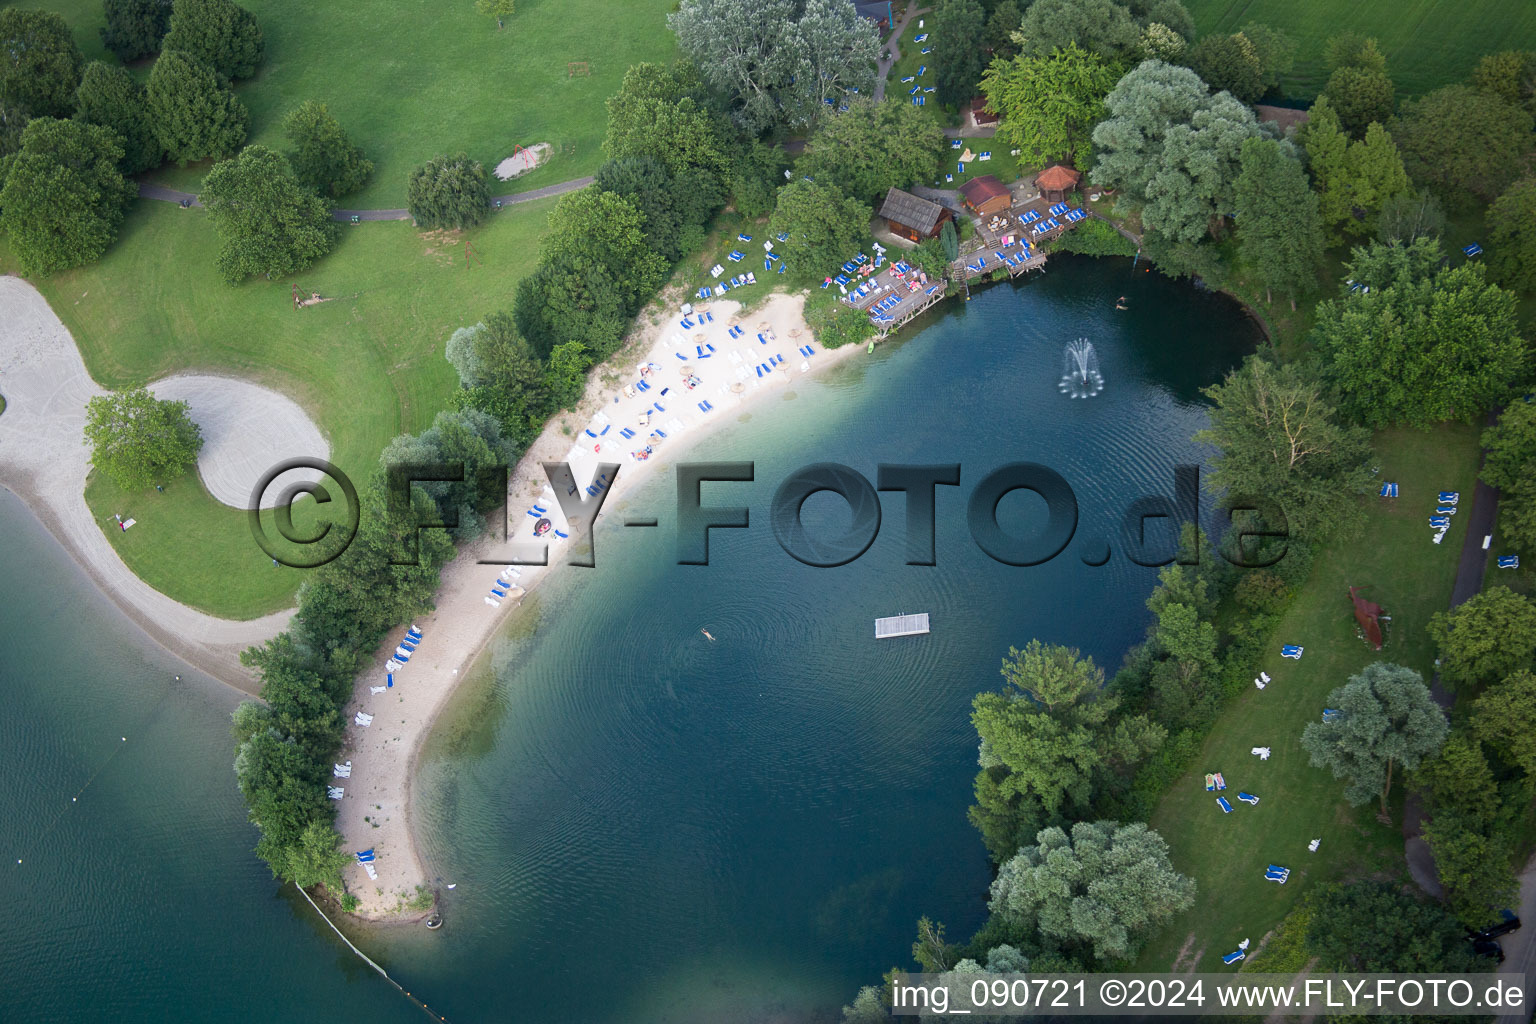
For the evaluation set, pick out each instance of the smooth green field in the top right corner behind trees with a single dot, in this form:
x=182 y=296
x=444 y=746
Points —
x=1428 y=44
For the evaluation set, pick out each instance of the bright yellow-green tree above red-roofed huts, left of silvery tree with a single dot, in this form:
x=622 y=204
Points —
x=1050 y=104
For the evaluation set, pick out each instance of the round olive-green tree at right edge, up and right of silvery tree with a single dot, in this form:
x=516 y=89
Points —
x=1488 y=638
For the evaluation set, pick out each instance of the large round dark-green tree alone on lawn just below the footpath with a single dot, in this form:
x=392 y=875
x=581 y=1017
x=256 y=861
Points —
x=268 y=223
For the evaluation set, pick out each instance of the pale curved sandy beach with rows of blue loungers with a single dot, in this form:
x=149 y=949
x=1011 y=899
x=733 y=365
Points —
x=377 y=808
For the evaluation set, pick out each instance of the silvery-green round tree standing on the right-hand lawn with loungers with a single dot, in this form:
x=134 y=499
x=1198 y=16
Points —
x=1389 y=719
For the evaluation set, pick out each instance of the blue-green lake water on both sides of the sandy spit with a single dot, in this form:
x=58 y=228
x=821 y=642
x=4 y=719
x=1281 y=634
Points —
x=641 y=825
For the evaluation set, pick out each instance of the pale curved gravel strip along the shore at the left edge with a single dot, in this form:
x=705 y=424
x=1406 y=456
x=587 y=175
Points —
x=44 y=460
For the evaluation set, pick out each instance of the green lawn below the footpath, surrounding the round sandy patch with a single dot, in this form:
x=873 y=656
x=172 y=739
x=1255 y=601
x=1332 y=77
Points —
x=366 y=366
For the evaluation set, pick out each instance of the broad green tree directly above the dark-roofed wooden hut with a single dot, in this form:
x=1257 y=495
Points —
x=873 y=148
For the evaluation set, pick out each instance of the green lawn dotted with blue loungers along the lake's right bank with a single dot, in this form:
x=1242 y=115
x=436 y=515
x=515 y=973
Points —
x=1228 y=853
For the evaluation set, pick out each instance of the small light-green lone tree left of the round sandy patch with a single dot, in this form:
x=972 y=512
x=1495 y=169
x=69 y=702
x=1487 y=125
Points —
x=139 y=440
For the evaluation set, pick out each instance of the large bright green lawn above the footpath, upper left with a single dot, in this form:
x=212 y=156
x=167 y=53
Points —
x=412 y=81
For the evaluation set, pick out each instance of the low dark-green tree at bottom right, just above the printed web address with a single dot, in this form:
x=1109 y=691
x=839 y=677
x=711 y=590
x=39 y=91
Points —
x=1380 y=927
